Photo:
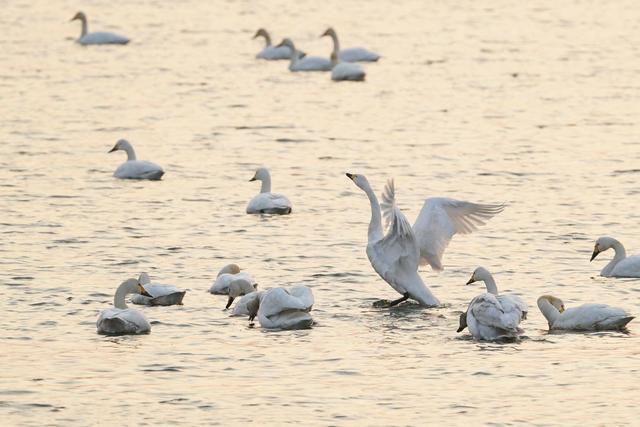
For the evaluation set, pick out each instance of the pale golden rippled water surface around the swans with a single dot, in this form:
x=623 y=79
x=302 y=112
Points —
x=532 y=105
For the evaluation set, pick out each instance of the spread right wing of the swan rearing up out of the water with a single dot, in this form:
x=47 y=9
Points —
x=441 y=218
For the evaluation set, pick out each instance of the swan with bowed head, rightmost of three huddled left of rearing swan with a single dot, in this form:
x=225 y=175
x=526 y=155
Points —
x=281 y=308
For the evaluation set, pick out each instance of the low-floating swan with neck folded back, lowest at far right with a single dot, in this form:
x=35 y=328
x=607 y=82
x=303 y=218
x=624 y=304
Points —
x=587 y=317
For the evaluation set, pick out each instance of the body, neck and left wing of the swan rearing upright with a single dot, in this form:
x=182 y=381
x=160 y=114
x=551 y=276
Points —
x=394 y=256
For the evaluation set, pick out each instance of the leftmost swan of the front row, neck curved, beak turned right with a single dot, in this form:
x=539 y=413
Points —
x=122 y=320
